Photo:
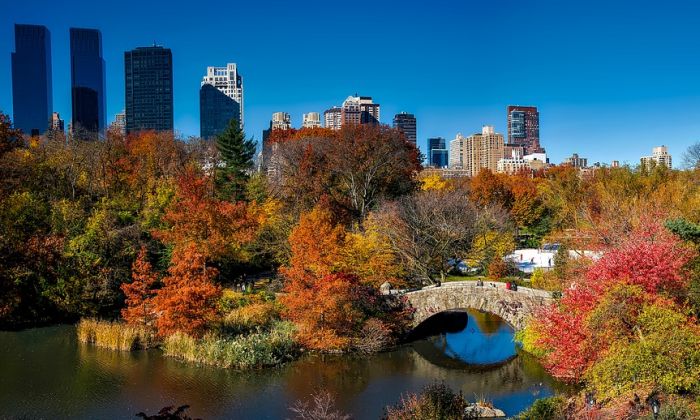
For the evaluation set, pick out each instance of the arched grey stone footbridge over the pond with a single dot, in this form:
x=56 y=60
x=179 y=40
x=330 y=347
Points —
x=513 y=306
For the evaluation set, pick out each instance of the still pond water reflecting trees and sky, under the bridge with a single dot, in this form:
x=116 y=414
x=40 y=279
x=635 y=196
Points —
x=46 y=373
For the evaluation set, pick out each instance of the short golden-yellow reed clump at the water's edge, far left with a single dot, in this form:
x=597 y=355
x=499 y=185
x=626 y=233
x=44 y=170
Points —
x=115 y=335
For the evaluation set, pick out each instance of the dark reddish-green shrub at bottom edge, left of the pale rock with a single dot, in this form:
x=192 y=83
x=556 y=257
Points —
x=436 y=401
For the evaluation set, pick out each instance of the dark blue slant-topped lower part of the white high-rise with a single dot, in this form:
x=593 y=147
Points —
x=216 y=109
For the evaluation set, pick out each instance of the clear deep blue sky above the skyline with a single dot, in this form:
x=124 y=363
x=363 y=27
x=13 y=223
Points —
x=611 y=78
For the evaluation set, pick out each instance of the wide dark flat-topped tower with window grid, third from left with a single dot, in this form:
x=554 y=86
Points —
x=148 y=75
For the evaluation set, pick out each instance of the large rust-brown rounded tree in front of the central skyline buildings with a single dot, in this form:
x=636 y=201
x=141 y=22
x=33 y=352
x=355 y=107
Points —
x=356 y=167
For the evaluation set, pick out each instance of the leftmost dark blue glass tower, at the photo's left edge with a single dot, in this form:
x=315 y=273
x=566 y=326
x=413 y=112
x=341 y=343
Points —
x=32 y=100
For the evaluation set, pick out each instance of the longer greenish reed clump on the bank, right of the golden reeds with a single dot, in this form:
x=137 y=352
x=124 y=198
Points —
x=254 y=350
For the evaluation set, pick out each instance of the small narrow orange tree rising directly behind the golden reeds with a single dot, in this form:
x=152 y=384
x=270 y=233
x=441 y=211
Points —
x=140 y=292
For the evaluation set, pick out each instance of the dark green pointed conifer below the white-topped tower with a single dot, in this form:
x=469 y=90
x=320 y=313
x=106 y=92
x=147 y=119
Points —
x=236 y=154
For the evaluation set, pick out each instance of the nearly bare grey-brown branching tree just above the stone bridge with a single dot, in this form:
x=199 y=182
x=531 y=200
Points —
x=429 y=228
